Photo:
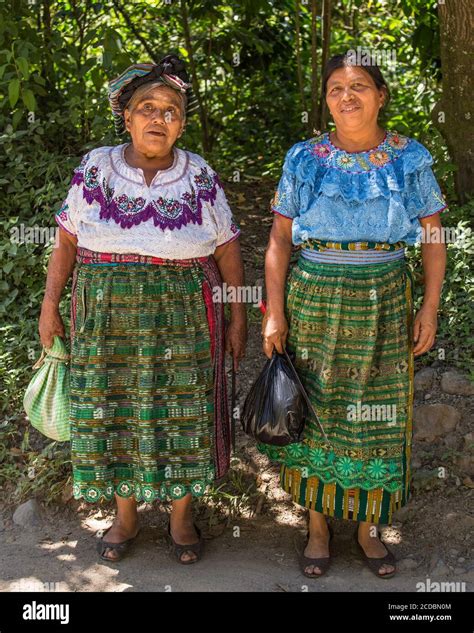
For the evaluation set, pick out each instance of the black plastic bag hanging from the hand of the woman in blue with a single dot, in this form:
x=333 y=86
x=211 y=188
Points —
x=276 y=407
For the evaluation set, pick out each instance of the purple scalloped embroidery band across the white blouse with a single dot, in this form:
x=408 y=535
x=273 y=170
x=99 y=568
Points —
x=167 y=213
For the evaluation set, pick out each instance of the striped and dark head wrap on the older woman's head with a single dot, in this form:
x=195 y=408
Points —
x=170 y=70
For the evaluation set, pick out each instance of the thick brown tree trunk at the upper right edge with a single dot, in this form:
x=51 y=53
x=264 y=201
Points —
x=454 y=114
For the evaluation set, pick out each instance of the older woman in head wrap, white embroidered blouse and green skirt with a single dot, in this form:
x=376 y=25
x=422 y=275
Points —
x=147 y=232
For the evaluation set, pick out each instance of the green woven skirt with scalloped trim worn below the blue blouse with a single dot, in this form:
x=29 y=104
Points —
x=350 y=328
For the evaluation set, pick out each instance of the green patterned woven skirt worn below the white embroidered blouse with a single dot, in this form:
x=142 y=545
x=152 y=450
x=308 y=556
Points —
x=143 y=397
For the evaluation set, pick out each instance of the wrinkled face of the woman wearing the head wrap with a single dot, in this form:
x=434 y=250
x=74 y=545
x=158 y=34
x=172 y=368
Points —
x=155 y=121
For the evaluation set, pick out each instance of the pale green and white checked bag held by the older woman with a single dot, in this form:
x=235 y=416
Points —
x=46 y=399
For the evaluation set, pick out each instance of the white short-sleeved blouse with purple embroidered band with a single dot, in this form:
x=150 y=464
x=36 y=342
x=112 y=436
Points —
x=183 y=214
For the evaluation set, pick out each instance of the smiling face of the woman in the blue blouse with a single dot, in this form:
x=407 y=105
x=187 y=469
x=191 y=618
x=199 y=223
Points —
x=353 y=98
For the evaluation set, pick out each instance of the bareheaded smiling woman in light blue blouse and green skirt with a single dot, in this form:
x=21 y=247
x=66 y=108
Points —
x=352 y=199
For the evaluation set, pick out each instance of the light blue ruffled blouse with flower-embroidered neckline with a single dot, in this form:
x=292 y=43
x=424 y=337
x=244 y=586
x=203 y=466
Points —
x=377 y=195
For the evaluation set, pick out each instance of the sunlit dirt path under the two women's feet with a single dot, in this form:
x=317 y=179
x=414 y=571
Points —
x=251 y=554
